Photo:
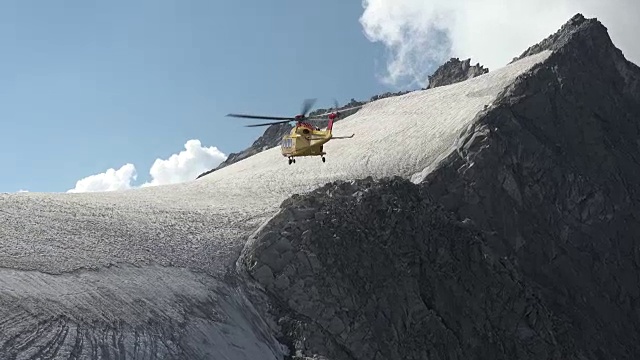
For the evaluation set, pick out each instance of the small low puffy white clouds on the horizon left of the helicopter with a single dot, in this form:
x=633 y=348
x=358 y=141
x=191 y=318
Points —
x=184 y=166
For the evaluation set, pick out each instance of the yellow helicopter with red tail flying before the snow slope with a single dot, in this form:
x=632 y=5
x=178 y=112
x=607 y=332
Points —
x=304 y=139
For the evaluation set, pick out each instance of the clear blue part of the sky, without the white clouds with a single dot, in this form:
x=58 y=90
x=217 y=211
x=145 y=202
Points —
x=91 y=85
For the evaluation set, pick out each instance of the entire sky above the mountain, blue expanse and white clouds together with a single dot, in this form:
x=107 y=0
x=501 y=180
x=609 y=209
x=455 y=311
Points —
x=103 y=90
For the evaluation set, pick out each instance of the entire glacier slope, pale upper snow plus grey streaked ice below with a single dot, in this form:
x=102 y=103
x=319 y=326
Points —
x=200 y=225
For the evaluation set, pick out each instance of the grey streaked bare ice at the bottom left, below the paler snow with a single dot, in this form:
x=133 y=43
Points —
x=151 y=312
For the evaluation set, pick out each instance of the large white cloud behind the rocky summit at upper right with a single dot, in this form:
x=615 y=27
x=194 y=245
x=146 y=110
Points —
x=421 y=34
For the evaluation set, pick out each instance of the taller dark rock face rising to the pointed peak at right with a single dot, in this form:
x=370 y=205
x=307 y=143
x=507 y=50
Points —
x=552 y=170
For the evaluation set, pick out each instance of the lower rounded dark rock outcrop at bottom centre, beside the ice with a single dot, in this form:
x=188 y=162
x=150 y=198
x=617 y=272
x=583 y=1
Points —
x=375 y=270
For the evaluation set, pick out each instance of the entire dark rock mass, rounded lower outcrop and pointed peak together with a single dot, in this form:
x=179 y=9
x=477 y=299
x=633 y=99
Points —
x=522 y=245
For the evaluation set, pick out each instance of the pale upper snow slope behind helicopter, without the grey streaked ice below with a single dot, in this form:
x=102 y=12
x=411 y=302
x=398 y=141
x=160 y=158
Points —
x=203 y=224
